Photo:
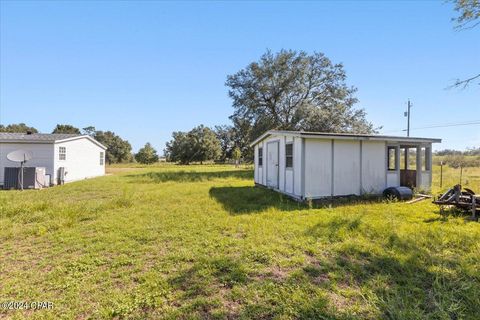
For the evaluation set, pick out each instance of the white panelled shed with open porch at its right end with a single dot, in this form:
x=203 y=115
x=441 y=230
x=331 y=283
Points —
x=310 y=165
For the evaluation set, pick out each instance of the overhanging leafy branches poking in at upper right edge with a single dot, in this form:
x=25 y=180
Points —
x=469 y=13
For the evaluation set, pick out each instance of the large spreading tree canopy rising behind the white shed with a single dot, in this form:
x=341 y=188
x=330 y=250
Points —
x=293 y=90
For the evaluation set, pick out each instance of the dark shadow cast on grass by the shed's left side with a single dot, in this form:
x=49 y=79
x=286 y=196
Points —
x=246 y=200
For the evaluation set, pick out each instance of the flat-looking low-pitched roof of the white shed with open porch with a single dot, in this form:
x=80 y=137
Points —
x=345 y=136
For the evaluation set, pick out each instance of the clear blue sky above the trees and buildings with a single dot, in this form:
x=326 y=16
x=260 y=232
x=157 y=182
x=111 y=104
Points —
x=145 y=69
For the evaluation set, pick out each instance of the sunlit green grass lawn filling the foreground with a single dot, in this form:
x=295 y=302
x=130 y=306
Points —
x=201 y=242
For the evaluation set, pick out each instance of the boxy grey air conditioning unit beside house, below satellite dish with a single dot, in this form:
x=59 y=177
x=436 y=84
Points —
x=33 y=178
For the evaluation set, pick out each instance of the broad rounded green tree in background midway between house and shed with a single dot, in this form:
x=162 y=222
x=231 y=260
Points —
x=200 y=144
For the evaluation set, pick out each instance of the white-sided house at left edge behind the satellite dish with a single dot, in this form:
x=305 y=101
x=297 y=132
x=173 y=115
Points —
x=79 y=156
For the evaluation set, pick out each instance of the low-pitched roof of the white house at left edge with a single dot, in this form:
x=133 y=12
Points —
x=44 y=138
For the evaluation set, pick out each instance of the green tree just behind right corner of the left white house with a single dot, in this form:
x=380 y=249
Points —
x=118 y=150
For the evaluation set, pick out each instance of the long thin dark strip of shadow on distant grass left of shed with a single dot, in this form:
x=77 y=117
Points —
x=189 y=176
